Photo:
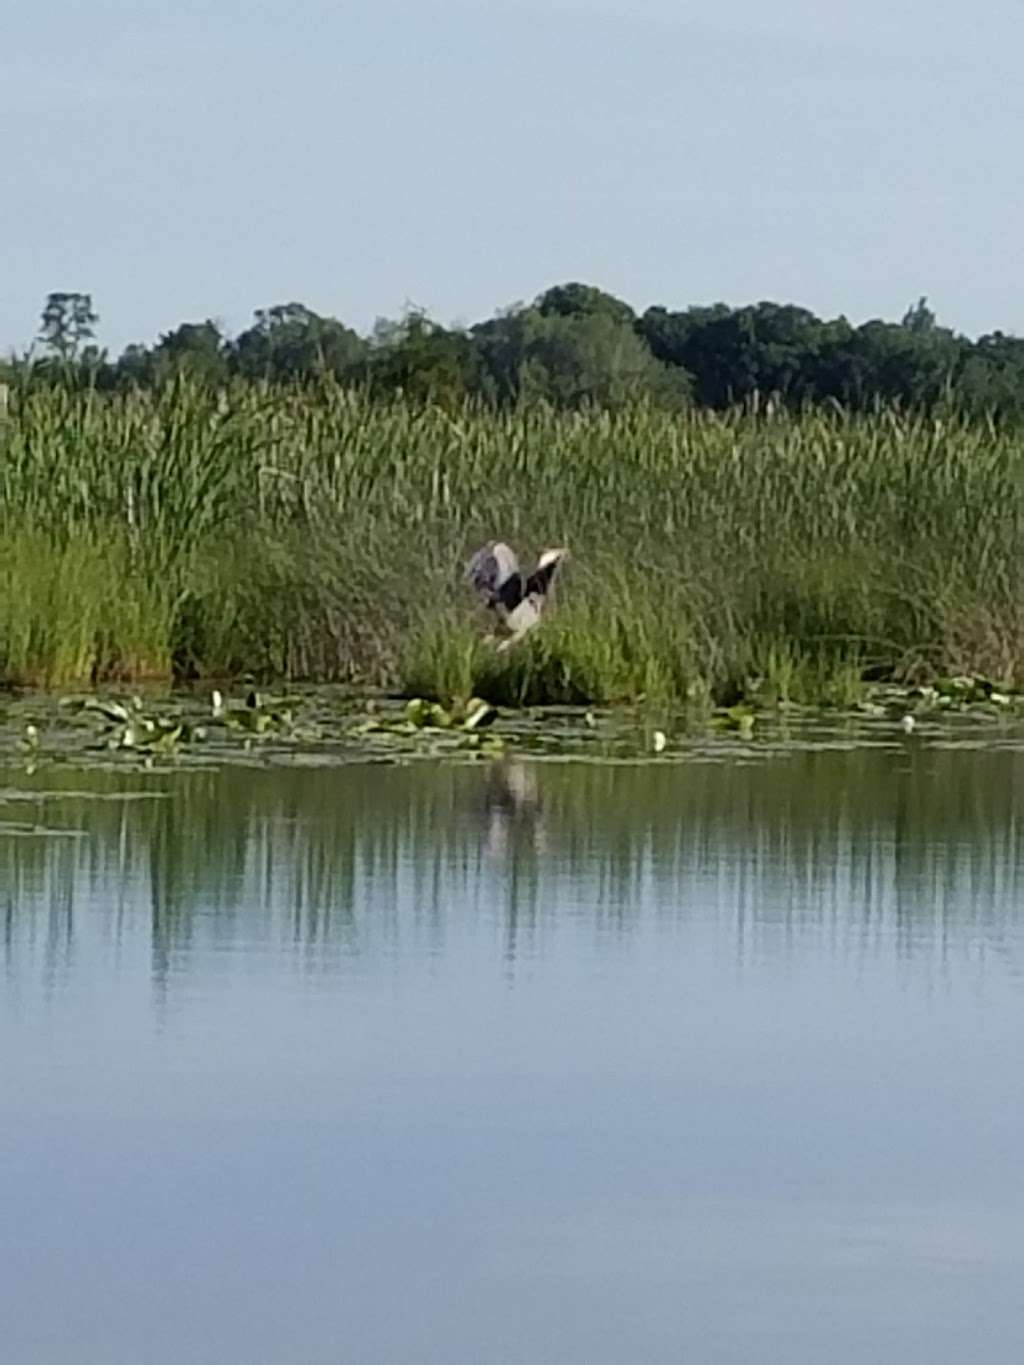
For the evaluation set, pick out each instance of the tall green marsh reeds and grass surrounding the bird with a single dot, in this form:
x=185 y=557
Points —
x=311 y=533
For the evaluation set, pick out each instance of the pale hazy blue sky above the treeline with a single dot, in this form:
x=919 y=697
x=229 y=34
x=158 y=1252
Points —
x=208 y=159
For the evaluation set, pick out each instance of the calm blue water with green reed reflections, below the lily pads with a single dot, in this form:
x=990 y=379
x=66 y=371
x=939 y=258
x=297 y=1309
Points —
x=705 y=1063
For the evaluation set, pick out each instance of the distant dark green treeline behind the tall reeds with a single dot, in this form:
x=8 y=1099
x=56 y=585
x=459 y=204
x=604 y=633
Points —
x=573 y=347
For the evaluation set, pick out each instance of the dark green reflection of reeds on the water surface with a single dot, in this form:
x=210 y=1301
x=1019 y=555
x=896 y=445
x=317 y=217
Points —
x=870 y=851
